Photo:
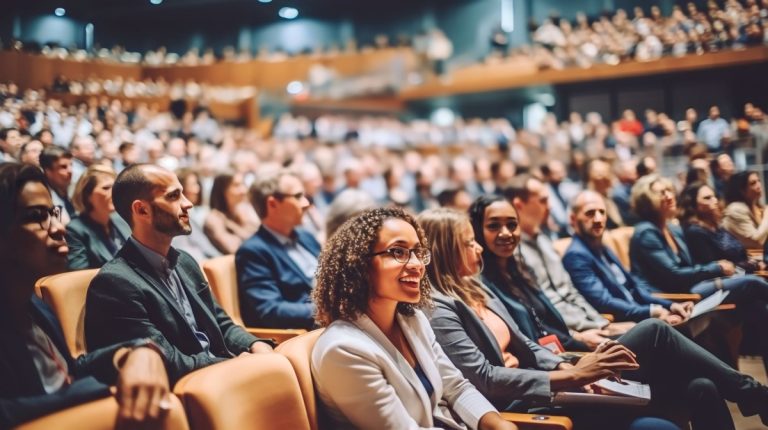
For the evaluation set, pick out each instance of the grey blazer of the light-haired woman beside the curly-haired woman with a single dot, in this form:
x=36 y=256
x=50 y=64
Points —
x=470 y=344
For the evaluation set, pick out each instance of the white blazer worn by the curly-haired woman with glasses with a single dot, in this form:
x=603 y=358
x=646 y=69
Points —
x=365 y=383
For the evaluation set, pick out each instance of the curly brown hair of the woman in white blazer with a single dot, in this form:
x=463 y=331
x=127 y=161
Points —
x=344 y=267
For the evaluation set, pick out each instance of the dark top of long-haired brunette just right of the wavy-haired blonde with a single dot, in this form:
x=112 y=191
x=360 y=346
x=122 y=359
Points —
x=707 y=245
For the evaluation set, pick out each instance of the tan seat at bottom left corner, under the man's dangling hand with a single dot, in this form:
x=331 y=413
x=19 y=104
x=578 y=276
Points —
x=102 y=415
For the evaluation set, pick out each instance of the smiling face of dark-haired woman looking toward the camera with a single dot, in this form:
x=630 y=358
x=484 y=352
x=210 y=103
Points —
x=500 y=228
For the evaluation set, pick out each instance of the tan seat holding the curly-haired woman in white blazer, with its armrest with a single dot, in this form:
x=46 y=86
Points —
x=299 y=349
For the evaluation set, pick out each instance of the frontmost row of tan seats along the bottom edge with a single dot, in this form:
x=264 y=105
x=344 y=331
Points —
x=269 y=391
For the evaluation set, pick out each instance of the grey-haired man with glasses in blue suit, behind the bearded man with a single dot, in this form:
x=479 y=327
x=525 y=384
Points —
x=276 y=266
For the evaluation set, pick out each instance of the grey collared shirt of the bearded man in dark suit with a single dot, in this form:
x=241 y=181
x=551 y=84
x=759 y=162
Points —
x=165 y=268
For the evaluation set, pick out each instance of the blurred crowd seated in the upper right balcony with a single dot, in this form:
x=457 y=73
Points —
x=615 y=37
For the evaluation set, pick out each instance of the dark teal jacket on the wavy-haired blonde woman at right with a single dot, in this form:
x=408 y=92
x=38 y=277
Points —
x=654 y=261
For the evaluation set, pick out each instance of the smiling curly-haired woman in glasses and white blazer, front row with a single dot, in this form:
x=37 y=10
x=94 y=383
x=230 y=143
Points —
x=377 y=364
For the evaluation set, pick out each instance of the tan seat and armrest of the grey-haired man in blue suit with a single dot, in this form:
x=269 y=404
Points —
x=222 y=277
